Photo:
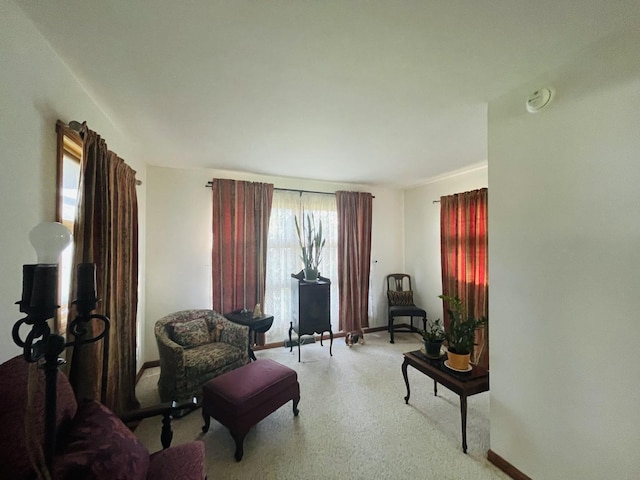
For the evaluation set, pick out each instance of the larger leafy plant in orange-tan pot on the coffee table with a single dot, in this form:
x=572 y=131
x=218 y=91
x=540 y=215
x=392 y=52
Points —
x=461 y=334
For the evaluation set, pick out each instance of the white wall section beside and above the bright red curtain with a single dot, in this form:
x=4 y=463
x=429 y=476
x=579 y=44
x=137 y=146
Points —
x=422 y=232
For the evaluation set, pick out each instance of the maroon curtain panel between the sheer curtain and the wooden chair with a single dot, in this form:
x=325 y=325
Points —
x=354 y=259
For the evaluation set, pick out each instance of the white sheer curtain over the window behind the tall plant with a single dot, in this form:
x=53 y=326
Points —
x=283 y=254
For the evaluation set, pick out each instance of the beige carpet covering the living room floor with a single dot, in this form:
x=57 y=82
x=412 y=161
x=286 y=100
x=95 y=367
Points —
x=353 y=422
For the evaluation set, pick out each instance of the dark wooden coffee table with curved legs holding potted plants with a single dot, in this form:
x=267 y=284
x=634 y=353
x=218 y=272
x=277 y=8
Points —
x=464 y=384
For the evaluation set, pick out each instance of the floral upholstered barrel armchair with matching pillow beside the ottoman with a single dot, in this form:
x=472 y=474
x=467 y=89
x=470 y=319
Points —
x=196 y=346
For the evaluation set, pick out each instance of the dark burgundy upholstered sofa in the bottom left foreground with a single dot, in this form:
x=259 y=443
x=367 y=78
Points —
x=91 y=442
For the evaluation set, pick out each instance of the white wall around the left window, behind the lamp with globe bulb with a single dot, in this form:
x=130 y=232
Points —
x=36 y=89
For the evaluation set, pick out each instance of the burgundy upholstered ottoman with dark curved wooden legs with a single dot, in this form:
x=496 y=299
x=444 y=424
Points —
x=242 y=397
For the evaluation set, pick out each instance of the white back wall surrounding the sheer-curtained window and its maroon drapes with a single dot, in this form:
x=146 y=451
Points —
x=178 y=235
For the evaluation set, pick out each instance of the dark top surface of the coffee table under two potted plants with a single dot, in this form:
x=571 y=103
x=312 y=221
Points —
x=436 y=369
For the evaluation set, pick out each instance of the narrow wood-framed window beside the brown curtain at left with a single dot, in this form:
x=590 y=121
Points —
x=69 y=158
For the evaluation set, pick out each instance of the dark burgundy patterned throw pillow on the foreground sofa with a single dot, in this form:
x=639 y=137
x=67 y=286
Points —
x=100 y=446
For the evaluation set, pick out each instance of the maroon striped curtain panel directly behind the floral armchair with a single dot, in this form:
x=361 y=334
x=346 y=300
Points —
x=240 y=228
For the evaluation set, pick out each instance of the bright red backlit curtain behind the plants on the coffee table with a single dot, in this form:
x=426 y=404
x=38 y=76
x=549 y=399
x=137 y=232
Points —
x=464 y=240
